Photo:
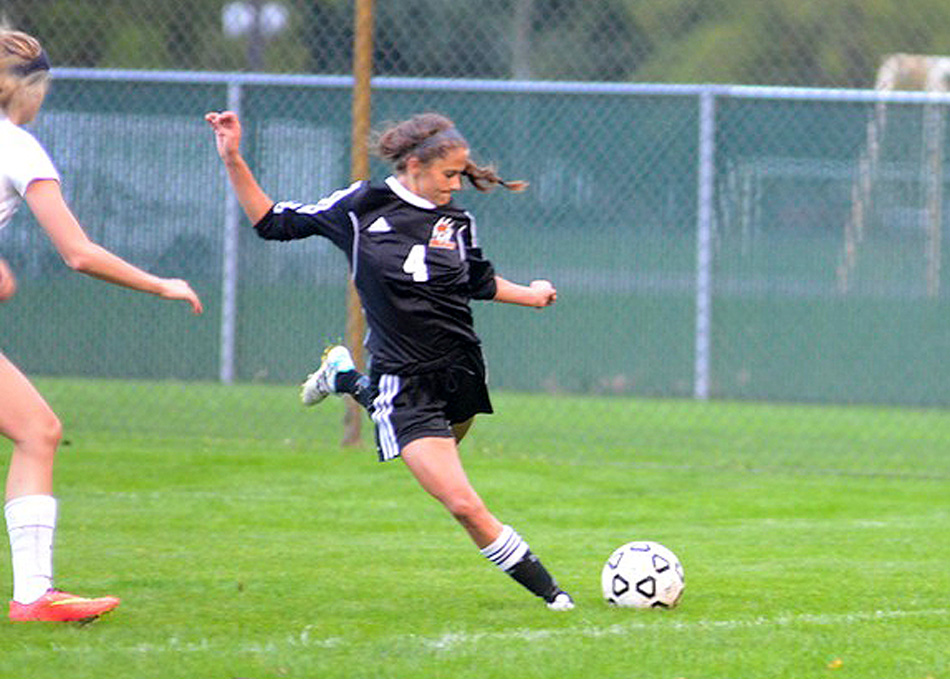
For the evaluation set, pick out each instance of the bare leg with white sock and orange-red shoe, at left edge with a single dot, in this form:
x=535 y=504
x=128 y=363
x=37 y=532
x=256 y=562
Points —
x=30 y=508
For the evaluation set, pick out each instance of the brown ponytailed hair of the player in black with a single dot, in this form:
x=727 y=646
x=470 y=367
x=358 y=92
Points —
x=431 y=135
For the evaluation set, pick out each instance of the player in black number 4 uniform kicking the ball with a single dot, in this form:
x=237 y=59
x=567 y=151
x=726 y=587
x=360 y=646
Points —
x=416 y=263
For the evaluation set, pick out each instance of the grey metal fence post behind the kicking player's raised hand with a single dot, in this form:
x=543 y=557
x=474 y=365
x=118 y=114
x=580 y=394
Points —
x=229 y=266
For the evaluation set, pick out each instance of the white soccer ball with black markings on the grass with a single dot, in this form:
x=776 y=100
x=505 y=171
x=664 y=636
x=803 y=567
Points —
x=643 y=575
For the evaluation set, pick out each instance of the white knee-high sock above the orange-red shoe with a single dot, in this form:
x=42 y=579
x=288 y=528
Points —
x=31 y=522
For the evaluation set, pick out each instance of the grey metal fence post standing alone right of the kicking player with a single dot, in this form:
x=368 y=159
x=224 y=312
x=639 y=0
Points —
x=704 y=227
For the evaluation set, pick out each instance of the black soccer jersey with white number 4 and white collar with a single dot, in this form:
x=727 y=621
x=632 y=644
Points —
x=415 y=265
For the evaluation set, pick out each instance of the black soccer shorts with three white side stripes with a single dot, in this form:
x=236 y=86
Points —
x=410 y=407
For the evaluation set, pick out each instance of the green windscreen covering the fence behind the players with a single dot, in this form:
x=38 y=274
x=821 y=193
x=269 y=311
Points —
x=826 y=277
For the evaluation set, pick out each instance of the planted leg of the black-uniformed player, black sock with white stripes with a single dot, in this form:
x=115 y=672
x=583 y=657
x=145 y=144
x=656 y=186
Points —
x=435 y=463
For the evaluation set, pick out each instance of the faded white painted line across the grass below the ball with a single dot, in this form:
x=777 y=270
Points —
x=452 y=640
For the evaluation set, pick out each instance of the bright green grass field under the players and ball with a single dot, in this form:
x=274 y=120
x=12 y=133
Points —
x=245 y=542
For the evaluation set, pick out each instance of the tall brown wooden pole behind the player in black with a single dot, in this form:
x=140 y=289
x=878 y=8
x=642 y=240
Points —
x=359 y=163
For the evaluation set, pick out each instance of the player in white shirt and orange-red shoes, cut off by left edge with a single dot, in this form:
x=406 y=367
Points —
x=26 y=172
